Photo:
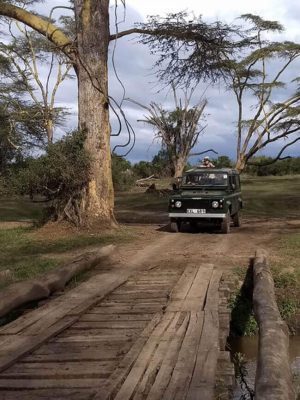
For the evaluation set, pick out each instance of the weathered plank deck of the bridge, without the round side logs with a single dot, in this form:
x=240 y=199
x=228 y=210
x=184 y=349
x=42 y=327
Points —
x=155 y=336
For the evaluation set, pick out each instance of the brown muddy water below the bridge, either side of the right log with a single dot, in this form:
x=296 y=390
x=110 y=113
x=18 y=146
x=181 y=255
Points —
x=249 y=346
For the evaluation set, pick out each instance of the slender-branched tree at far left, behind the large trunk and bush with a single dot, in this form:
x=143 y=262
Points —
x=24 y=53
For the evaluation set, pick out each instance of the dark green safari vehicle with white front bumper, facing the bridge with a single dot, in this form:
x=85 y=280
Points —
x=206 y=195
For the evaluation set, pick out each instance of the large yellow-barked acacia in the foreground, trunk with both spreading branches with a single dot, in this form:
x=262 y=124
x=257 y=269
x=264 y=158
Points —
x=89 y=54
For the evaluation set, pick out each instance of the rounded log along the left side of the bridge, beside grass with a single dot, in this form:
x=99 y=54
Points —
x=20 y=293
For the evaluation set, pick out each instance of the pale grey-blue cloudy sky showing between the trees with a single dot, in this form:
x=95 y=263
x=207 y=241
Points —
x=134 y=67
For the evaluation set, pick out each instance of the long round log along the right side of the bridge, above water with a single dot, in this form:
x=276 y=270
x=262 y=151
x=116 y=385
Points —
x=273 y=375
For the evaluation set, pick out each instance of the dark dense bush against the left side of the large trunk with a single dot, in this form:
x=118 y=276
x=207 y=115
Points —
x=59 y=176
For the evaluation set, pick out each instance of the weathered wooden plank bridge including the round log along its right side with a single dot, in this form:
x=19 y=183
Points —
x=142 y=333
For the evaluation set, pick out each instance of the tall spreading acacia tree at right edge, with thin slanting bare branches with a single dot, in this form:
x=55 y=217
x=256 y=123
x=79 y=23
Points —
x=275 y=117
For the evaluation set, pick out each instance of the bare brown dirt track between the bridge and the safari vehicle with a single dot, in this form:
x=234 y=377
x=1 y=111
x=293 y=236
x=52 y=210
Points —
x=207 y=245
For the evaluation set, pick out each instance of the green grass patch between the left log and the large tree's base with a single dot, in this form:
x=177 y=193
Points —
x=28 y=257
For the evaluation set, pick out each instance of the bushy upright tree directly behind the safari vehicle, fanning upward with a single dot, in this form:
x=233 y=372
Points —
x=179 y=129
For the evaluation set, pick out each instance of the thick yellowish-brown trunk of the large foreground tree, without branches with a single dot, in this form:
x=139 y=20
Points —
x=92 y=27
